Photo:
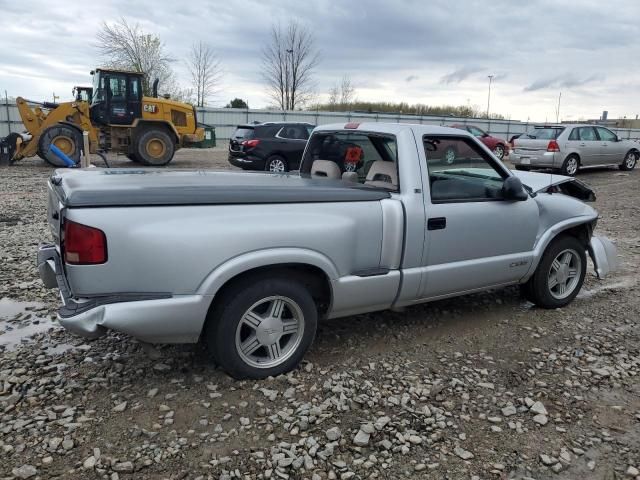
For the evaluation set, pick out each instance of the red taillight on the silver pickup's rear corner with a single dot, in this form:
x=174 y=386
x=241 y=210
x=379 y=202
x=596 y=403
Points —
x=84 y=245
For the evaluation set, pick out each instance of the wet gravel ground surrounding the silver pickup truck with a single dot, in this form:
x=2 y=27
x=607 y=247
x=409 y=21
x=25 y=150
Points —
x=480 y=387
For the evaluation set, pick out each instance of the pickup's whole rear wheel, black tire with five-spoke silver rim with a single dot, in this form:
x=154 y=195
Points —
x=262 y=327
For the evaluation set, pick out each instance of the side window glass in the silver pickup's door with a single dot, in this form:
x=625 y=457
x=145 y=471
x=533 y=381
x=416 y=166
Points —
x=459 y=171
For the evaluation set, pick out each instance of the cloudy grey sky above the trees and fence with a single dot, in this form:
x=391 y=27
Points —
x=432 y=52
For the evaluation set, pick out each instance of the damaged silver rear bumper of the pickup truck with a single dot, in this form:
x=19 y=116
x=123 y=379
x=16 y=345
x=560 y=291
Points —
x=154 y=318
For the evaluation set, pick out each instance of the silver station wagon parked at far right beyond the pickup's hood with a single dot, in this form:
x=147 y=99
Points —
x=567 y=148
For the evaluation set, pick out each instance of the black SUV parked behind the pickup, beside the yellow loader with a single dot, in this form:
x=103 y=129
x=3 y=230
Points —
x=271 y=146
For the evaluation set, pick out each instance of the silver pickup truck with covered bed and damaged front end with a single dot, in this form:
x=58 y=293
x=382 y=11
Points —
x=377 y=218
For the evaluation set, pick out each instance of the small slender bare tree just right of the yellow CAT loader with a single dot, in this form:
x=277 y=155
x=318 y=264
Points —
x=205 y=71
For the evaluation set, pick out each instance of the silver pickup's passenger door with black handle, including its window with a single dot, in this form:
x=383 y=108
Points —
x=474 y=238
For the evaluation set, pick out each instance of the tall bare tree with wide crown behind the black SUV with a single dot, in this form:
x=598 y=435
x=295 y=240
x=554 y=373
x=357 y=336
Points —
x=288 y=62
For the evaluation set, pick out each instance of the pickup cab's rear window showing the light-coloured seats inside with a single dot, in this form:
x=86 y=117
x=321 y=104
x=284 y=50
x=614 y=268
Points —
x=372 y=157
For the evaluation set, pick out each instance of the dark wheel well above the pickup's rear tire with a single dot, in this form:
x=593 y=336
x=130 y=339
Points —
x=314 y=278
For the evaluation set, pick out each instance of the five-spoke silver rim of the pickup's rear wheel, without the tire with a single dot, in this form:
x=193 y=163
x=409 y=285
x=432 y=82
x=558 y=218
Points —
x=269 y=332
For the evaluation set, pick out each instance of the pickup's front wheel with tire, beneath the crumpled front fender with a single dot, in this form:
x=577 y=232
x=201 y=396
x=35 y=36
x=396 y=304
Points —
x=559 y=275
